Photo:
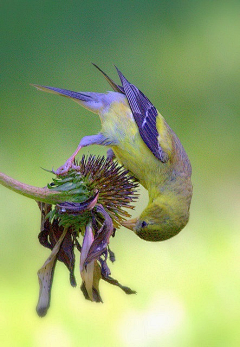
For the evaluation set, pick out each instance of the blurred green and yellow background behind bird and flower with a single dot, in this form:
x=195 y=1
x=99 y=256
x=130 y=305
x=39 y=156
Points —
x=185 y=56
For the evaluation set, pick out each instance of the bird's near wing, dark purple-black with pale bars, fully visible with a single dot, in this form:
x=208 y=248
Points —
x=145 y=115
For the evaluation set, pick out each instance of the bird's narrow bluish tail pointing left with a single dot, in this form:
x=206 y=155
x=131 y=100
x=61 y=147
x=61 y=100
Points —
x=89 y=100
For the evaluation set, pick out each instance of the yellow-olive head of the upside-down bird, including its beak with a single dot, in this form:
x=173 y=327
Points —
x=158 y=222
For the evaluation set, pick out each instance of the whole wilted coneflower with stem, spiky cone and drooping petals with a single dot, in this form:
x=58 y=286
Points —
x=89 y=202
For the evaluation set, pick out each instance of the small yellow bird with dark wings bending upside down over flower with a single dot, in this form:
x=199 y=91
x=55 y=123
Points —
x=139 y=137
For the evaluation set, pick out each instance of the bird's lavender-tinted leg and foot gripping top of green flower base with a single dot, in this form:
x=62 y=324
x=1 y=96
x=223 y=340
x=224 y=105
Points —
x=98 y=139
